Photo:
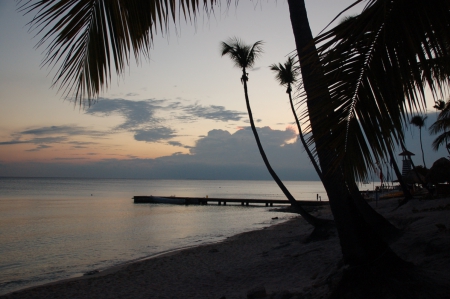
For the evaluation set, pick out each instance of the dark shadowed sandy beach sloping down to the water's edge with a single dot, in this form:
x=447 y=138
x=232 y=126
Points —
x=274 y=262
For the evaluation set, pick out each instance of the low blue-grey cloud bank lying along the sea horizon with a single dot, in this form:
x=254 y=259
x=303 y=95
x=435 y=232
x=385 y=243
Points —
x=219 y=155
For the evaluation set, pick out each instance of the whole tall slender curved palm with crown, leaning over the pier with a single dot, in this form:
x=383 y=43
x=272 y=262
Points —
x=244 y=57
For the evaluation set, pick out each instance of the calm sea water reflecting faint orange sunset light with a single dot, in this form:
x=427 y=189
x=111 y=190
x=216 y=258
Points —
x=52 y=228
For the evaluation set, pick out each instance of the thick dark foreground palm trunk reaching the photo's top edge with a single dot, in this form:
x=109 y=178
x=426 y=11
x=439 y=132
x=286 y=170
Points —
x=359 y=242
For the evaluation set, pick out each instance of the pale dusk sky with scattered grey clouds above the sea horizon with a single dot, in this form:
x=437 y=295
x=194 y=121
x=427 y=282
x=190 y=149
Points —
x=178 y=115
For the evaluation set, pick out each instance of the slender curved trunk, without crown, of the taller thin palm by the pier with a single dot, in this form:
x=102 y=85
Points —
x=316 y=222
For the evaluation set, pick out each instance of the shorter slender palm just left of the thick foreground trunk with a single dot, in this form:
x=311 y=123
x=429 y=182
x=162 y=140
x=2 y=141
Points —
x=287 y=74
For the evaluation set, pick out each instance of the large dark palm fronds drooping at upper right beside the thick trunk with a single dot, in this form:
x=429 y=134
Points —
x=378 y=66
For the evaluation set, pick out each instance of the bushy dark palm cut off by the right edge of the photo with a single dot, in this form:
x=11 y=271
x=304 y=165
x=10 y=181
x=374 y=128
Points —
x=442 y=124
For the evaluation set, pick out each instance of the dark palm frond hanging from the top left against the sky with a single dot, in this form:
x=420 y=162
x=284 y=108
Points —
x=87 y=39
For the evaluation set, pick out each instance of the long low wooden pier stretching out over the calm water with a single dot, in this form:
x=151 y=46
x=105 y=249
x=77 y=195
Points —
x=220 y=201
